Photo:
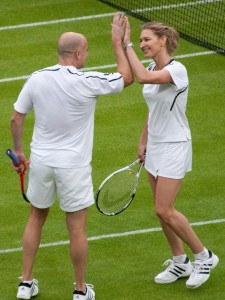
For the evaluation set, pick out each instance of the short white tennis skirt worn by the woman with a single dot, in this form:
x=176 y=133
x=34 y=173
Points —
x=171 y=160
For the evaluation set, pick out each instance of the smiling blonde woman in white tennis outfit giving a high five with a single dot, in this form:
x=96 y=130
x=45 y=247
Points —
x=165 y=146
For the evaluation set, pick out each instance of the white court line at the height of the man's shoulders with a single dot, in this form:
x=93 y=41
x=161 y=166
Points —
x=24 y=77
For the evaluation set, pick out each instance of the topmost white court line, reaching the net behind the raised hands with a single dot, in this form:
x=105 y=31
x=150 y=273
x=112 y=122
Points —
x=107 y=14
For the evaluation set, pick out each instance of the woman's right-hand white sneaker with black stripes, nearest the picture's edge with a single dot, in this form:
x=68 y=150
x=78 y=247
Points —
x=201 y=271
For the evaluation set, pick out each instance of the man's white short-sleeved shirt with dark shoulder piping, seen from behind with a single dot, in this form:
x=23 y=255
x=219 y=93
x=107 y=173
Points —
x=64 y=100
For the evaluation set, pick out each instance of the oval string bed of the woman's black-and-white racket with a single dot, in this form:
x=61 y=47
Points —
x=117 y=192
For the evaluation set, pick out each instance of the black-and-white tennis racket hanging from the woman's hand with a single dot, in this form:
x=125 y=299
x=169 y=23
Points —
x=117 y=191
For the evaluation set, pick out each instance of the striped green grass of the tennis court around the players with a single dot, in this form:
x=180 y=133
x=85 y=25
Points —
x=126 y=251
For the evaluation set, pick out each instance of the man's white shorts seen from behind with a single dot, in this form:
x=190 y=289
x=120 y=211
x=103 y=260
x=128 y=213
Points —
x=73 y=186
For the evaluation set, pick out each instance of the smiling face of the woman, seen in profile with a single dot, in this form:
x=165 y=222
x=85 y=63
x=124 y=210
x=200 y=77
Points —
x=150 y=43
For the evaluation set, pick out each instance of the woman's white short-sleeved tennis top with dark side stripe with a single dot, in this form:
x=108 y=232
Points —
x=167 y=106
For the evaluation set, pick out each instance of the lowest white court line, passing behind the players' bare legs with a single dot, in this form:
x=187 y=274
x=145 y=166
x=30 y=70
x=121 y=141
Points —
x=112 y=235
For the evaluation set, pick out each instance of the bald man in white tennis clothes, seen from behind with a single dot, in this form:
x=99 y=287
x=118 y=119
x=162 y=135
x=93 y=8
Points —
x=63 y=99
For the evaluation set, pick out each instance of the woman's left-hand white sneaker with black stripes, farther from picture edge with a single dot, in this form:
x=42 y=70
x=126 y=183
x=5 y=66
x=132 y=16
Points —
x=174 y=271
